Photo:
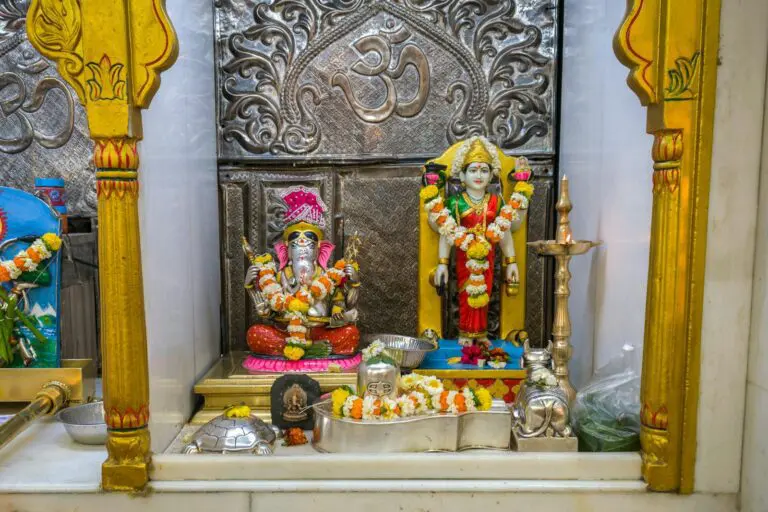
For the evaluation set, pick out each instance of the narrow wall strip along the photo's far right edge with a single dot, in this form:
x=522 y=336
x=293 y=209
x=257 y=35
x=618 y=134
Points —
x=754 y=494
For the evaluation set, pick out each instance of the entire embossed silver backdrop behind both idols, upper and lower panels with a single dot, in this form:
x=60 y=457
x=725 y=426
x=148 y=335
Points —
x=356 y=94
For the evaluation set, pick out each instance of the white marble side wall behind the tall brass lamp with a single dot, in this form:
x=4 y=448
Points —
x=606 y=155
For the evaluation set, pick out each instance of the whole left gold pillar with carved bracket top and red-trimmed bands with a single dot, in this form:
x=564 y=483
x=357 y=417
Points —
x=112 y=52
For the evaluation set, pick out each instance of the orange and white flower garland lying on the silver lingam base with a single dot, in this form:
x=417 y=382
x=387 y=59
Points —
x=421 y=395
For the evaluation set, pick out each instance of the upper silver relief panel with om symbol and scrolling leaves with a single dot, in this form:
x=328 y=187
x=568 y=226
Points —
x=366 y=79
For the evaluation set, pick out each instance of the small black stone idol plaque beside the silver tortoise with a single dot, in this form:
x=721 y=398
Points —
x=291 y=396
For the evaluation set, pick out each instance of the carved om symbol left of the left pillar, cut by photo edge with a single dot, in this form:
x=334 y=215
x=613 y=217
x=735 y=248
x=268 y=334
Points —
x=14 y=109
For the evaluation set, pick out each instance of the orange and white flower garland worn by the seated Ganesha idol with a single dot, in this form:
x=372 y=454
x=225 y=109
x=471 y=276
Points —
x=296 y=305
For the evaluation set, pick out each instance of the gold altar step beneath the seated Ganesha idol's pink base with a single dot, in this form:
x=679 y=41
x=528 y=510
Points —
x=228 y=383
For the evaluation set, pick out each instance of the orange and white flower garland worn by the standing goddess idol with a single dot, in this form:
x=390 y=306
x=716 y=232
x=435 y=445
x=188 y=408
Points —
x=476 y=246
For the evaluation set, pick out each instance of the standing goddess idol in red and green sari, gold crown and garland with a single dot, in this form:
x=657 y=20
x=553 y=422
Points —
x=475 y=220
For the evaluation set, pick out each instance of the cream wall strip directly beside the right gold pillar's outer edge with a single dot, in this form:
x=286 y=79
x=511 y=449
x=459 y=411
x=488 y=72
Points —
x=731 y=244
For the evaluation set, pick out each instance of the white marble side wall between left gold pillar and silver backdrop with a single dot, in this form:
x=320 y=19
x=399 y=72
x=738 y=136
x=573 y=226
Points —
x=179 y=224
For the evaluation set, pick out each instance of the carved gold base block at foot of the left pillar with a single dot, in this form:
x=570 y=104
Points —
x=127 y=466
